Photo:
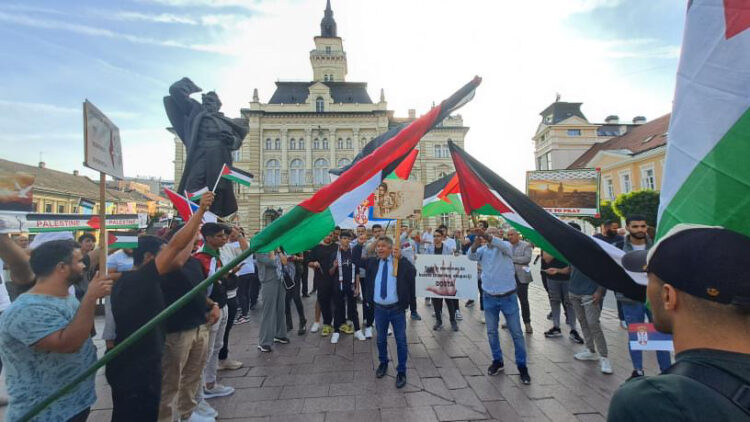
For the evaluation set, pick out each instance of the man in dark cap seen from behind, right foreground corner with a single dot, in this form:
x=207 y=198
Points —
x=699 y=292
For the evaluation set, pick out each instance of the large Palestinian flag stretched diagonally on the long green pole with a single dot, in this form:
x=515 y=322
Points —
x=306 y=224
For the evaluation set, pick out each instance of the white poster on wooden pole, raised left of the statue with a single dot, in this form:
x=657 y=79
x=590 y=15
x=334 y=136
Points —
x=102 y=149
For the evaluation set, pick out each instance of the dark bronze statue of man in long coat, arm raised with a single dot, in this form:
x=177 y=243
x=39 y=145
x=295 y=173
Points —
x=209 y=138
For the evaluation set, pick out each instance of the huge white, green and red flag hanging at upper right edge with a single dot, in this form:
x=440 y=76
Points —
x=706 y=174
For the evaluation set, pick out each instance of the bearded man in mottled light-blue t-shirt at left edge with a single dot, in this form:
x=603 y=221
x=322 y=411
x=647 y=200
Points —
x=45 y=335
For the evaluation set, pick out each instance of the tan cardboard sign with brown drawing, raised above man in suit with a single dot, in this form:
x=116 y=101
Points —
x=398 y=199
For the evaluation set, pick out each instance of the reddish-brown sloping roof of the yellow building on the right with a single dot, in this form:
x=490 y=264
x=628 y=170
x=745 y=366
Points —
x=637 y=140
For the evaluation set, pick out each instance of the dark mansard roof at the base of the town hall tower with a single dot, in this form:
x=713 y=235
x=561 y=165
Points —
x=342 y=92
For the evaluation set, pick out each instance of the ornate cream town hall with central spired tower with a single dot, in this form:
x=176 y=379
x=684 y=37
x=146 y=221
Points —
x=307 y=128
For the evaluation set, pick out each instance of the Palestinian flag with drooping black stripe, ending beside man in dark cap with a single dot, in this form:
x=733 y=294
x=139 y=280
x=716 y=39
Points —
x=484 y=192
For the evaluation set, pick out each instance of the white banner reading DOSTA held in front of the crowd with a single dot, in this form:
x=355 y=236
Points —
x=446 y=276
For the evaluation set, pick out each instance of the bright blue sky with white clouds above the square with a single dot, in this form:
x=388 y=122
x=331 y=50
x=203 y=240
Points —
x=615 y=56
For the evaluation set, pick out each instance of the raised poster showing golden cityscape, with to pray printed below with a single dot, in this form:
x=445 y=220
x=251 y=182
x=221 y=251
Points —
x=571 y=193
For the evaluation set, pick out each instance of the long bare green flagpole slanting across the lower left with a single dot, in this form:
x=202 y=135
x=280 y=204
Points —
x=117 y=350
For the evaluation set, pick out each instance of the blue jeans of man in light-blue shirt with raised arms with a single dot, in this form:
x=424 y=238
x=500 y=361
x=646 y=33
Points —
x=508 y=305
